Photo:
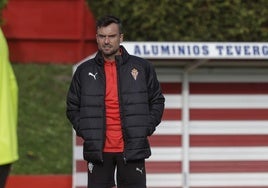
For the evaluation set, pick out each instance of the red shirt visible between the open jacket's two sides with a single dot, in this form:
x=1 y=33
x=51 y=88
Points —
x=114 y=138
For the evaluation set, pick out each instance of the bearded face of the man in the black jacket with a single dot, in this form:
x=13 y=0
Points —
x=108 y=40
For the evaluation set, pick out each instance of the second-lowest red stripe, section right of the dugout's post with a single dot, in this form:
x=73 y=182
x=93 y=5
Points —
x=228 y=140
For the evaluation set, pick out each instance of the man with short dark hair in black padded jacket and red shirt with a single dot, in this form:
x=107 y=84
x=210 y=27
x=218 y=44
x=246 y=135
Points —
x=114 y=103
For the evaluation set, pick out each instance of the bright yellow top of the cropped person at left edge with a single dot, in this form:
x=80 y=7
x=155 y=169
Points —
x=8 y=106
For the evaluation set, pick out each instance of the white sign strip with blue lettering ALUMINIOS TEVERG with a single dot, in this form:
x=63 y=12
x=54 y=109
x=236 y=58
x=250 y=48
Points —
x=198 y=50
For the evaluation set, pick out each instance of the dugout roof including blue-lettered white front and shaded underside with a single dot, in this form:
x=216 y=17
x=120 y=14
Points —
x=205 y=54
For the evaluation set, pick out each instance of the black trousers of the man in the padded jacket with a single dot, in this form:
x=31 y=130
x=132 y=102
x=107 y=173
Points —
x=128 y=175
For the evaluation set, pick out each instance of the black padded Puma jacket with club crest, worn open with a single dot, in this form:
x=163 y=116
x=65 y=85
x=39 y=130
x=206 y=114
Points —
x=141 y=105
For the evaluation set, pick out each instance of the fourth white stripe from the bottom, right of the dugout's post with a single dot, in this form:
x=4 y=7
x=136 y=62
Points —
x=228 y=101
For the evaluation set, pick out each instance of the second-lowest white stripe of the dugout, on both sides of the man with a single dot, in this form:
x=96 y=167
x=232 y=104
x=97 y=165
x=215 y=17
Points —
x=202 y=153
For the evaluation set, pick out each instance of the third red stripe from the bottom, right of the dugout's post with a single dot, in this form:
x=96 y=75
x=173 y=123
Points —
x=229 y=114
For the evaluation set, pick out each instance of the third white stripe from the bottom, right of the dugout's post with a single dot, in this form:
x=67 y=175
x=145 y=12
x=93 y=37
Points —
x=228 y=127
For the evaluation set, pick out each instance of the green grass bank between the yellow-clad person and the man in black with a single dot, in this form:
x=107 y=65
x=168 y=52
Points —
x=44 y=133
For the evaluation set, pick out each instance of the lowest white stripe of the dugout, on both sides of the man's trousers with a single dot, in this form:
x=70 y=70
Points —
x=197 y=179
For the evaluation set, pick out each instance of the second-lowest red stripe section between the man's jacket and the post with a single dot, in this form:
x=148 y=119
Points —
x=165 y=140
